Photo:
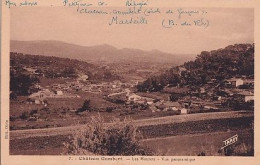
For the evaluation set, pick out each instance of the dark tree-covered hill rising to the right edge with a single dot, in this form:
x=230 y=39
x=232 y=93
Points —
x=232 y=61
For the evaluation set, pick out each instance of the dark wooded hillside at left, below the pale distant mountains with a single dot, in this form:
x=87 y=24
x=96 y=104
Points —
x=55 y=67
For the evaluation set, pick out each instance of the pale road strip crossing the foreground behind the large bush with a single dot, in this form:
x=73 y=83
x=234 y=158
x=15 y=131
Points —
x=21 y=134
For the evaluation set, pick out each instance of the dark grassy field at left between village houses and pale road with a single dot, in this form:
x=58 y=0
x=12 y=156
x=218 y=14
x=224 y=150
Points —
x=61 y=112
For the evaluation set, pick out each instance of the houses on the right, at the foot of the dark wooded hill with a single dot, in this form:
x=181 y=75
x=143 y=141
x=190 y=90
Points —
x=205 y=98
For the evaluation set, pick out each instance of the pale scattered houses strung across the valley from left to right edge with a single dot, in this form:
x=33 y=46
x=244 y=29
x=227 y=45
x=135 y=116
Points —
x=203 y=98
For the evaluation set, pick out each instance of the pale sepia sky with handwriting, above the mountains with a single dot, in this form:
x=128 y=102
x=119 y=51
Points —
x=226 y=26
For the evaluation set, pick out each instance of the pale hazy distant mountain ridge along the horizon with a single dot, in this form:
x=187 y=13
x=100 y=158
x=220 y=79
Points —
x=99 y=53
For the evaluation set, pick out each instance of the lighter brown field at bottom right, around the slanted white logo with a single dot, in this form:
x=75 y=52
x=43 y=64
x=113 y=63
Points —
x=194 y=144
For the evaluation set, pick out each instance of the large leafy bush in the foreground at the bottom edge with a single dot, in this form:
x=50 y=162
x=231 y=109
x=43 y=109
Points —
x=116 y=138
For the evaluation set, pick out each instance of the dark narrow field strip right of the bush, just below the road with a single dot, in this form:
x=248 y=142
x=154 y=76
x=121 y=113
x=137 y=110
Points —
x=195 y=127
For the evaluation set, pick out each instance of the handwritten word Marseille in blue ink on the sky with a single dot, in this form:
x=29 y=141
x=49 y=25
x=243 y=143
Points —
x=137 y=20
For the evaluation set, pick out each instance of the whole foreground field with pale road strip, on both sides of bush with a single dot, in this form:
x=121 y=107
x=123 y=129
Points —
x=171 y=135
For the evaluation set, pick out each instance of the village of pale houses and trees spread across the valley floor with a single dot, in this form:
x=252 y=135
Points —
x=211 y=97
